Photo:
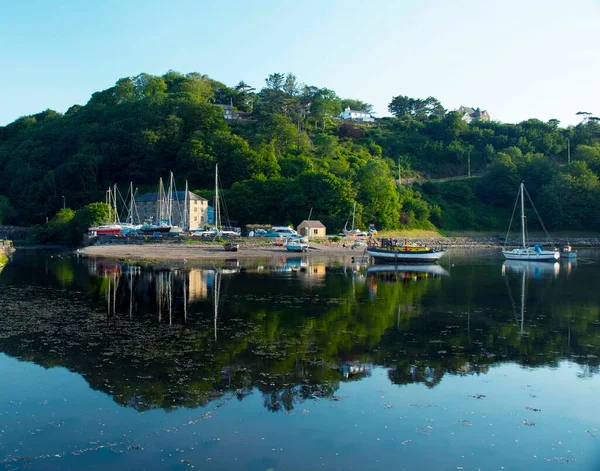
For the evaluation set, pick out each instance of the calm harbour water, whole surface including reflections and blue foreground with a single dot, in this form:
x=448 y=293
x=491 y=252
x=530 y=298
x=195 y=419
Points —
x=293 y=363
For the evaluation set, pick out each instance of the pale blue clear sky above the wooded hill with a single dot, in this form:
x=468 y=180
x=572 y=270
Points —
x=517 y=59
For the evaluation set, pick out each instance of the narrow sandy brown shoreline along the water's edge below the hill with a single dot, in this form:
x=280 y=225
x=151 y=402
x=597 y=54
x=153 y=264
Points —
x=178 y=251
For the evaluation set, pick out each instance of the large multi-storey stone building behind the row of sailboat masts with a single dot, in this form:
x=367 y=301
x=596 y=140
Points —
x=196 y=209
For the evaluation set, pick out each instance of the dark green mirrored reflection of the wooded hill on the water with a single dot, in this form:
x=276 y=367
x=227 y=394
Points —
x=172 y=338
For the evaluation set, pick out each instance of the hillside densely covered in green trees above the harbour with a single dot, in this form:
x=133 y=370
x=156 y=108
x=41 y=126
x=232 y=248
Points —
x=289 y=155
